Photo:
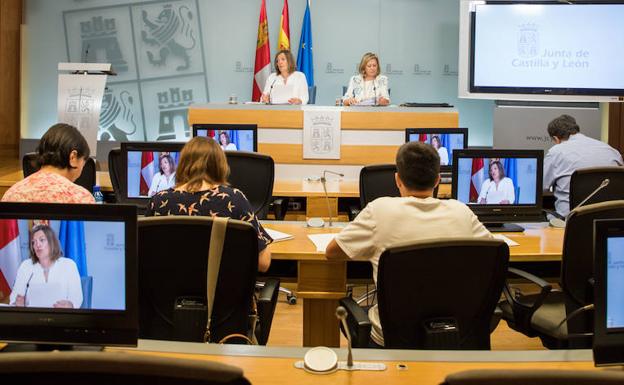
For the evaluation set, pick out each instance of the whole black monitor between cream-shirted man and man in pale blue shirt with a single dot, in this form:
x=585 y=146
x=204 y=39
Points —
x=500 y=186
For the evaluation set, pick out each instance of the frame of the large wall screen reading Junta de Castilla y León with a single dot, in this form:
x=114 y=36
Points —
x=472 y=88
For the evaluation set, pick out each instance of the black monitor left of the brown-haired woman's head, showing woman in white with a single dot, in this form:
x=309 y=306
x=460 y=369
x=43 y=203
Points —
x=147 y=168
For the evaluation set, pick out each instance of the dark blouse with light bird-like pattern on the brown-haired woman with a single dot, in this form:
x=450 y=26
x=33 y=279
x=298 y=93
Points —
x=222 y=201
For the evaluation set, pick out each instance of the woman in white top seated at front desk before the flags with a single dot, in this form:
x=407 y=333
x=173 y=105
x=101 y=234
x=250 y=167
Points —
x=286 y=77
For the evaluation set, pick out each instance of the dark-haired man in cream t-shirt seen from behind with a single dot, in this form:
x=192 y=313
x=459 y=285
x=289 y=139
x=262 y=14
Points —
x=415 y=216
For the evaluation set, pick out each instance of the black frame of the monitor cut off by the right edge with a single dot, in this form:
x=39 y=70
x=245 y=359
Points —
x=608 y=343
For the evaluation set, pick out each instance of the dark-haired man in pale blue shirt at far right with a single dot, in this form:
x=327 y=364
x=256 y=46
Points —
x=572 y=150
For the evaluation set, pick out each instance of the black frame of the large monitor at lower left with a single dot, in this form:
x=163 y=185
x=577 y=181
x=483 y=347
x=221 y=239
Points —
x=77 y=326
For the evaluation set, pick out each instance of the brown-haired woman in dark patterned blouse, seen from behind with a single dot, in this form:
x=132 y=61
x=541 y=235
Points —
x=201 y=189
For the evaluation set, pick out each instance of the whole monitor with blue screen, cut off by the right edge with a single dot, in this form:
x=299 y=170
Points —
x=608 y=288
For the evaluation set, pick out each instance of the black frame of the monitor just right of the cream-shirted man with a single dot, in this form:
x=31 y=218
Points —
x=503 y=213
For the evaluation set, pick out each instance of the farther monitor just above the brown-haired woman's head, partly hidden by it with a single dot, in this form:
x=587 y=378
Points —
x=232 y=137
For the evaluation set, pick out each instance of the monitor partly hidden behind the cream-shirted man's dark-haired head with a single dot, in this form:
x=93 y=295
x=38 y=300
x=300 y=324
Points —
x=446 y=141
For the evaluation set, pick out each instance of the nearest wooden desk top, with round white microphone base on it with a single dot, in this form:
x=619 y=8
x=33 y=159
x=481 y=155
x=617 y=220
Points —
x=266 y=365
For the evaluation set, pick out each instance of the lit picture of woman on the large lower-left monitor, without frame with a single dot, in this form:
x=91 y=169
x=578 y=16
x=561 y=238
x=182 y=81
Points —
x=64 y=264
